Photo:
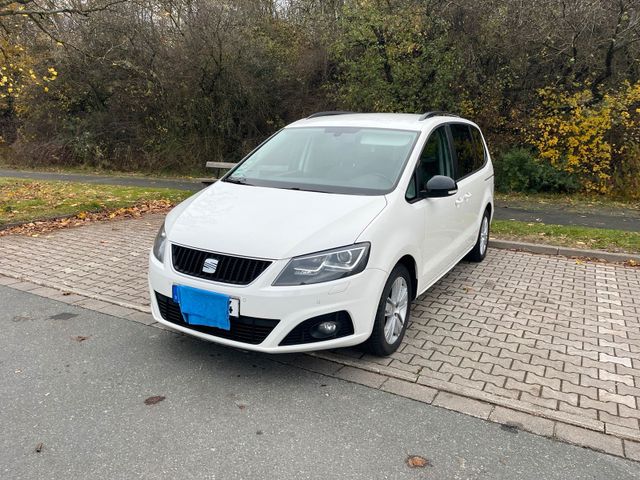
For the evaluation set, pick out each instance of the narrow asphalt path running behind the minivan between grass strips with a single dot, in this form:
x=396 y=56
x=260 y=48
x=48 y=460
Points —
x=618 y=219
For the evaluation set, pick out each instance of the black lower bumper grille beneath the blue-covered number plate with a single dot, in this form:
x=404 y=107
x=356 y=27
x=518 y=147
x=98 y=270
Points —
x=243 y=329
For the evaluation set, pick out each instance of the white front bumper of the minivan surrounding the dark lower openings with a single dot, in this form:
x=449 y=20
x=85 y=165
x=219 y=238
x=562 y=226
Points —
x=357 y=295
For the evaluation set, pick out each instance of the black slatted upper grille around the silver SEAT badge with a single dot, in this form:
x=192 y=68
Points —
x=235 y=270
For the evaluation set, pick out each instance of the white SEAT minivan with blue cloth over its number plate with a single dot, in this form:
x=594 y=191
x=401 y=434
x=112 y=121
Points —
x=324 y=234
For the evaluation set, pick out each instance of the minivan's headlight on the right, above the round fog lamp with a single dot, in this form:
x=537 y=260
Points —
x=325 y=266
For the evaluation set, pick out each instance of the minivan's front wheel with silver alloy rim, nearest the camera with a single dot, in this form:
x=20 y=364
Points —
x=392 y=316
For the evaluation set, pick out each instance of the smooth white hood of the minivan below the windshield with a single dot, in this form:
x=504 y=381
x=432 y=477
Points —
x=270 y=223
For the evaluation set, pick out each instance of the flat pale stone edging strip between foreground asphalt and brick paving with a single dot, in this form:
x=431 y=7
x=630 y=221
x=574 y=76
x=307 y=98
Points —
x=500 y=410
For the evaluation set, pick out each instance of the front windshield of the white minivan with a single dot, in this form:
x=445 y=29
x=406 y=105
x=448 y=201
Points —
x=348 y=160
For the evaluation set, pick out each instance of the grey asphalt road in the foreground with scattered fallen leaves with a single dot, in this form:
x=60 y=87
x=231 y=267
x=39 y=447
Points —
x=74 y=383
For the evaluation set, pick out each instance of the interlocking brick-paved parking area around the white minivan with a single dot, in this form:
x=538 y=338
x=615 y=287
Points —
x=547 y=343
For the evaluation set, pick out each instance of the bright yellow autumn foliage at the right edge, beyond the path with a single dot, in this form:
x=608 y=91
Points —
x=585 y=137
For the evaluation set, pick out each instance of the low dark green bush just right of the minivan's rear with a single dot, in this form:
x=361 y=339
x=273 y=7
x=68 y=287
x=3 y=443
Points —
x=517 y=170
